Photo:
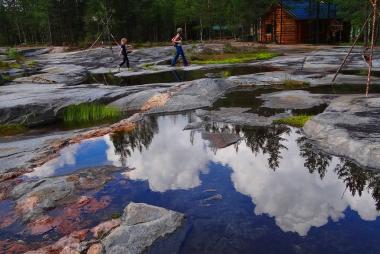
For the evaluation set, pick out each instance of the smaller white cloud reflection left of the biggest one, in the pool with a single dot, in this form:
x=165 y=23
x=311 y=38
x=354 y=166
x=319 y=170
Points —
x=171 y=162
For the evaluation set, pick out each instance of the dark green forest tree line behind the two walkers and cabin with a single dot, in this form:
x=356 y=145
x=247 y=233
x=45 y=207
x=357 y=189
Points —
x=71 y=22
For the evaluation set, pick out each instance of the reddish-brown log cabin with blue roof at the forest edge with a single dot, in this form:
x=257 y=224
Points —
x=303 y=21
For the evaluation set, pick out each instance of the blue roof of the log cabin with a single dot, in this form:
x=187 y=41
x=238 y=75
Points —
x=306 y=9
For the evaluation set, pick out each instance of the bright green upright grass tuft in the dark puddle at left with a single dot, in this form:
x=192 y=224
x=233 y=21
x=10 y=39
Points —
x=90 y=112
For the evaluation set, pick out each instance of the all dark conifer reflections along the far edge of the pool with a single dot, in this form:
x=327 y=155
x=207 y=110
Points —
x=266 y=140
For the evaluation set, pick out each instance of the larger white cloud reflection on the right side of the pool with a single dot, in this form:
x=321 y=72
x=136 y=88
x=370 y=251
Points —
x=295 y=198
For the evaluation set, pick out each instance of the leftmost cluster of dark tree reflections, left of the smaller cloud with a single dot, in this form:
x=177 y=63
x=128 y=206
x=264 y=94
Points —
x=141 y=137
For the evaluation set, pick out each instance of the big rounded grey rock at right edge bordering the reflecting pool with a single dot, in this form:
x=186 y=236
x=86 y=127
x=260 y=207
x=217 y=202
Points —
x=349 y=127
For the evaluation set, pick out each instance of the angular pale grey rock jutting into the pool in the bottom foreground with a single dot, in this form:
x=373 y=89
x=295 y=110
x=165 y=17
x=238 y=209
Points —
x=141 y=226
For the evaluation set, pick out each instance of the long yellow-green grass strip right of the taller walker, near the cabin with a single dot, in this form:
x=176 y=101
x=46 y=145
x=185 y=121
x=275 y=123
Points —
x=232 y=58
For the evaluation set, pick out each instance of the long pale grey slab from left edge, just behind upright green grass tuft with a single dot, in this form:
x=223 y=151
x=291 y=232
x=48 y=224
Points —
x=36 y=104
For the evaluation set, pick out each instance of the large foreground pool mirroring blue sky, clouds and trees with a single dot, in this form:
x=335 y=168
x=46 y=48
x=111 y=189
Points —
x=271 y=192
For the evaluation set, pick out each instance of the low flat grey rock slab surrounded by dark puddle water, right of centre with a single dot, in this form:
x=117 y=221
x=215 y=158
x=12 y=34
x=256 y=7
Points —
x=294 y=99
